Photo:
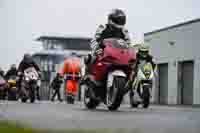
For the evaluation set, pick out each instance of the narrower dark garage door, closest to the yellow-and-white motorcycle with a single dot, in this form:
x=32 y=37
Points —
x=163 y=83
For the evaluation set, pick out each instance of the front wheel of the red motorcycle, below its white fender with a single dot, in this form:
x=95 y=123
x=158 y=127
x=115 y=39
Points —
x=115 y=93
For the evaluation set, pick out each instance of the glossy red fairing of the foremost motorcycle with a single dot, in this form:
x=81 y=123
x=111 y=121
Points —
x=114 y=57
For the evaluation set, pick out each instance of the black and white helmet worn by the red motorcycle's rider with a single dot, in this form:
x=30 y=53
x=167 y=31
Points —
x=117 y=18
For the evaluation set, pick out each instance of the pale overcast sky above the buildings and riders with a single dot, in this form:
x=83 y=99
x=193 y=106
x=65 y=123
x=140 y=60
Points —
x=22 y=21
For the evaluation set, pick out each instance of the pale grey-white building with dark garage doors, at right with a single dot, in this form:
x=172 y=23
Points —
x=177 y=51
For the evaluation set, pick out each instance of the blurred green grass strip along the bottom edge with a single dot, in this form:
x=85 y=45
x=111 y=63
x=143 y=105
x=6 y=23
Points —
x=13 y=127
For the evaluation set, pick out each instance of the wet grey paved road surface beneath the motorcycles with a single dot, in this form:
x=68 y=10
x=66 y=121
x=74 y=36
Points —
x=156 y=119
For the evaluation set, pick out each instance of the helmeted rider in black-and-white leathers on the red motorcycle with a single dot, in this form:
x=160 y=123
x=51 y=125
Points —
x=113 y=29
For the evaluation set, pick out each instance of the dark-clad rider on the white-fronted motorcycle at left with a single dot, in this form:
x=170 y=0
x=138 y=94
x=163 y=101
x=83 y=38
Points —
x=24 y=64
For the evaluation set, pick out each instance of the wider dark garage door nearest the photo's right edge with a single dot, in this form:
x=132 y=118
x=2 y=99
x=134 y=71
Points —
x=187 y=77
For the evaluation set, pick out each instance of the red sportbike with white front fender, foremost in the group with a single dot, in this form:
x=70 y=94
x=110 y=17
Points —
x=108 y=76
